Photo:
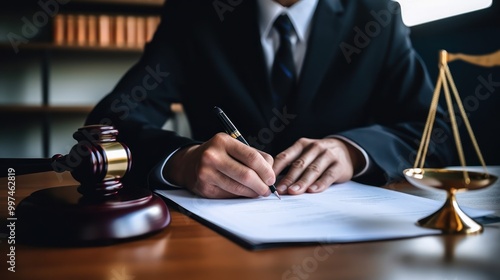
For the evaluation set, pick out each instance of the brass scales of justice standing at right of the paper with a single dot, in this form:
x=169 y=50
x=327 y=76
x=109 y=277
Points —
x=450 y=218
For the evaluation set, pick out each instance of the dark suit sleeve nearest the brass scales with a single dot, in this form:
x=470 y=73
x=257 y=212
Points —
x=403 y=93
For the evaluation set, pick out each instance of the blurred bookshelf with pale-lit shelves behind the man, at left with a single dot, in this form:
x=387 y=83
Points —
x=49 y=84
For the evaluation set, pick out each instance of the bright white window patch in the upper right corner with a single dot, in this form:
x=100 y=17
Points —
x=415 y=12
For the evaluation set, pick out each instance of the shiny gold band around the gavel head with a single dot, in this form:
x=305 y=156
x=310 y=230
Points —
x=117 y=159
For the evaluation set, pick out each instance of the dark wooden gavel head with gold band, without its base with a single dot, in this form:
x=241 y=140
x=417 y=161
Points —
x=98 y=161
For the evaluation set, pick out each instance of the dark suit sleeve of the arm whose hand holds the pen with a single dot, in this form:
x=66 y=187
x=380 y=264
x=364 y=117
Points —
x=140 y=103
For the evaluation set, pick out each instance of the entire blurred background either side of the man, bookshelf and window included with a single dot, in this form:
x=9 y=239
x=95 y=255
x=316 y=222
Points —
x=51 y=76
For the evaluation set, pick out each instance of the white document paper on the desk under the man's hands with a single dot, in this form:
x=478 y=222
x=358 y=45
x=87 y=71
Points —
x=348 y=212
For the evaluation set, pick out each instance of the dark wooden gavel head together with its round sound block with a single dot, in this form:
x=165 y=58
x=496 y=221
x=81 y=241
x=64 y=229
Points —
x=101 y=209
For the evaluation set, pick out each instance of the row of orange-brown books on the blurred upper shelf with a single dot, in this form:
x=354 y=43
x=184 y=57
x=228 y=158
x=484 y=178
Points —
x=127 y=31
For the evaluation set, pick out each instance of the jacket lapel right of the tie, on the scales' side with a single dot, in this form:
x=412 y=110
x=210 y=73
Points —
x=322 y=47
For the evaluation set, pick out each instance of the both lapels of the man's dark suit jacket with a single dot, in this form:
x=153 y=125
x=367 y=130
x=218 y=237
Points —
x=245 y=49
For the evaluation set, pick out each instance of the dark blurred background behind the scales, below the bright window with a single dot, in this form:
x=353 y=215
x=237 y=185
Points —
x=476 y=32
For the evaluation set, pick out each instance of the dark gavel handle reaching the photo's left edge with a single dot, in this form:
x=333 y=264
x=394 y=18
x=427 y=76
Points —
x=24 y=166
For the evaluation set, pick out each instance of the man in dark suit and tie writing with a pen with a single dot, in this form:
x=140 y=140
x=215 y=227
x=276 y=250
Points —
x=350 y=101
